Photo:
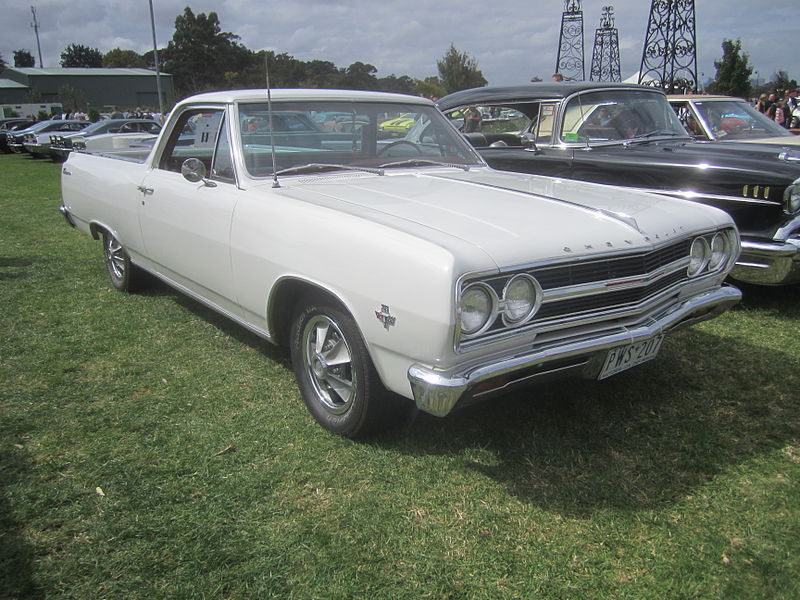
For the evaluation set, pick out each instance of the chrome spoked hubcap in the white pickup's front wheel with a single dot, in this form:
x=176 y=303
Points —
x=329 y=364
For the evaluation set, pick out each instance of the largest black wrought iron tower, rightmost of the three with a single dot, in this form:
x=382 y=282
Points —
x=669 y=57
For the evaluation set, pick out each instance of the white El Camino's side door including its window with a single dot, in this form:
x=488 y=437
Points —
x=186 y=226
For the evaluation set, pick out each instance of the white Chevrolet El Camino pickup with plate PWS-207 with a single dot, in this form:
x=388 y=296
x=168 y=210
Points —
x=400 y=271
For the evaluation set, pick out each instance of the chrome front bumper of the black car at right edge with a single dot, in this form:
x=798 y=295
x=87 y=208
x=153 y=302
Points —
x=769 y=263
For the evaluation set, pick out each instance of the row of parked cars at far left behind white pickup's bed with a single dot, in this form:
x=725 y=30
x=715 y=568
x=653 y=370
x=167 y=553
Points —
x=57 y=138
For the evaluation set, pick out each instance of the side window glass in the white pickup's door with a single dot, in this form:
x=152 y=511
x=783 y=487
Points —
x=194 y=136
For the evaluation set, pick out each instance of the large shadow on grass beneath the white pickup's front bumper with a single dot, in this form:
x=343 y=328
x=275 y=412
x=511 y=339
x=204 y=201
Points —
x=638 y=441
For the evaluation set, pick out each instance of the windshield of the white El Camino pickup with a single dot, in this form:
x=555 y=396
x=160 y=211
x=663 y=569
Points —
x=348 y=134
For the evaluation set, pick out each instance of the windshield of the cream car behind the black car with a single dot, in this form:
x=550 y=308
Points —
x=736 y=120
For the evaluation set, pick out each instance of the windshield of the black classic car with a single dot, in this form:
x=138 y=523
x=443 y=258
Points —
x=619 y=115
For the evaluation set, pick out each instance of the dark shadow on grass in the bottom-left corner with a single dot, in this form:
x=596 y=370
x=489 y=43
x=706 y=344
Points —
x=16 y=557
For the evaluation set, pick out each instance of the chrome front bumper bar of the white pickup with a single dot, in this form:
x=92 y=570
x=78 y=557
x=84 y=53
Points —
x=439 y=391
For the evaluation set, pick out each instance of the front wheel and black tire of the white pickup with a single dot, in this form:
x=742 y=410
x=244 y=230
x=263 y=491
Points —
x=336 y=377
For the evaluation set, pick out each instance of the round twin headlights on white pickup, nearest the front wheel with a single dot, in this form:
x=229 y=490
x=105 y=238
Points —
x=479 y=305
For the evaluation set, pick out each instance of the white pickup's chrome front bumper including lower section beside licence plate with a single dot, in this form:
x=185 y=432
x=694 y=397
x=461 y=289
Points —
x=438 y=392
